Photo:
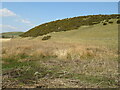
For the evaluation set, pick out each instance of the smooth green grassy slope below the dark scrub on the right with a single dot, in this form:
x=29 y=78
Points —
x=91 y=35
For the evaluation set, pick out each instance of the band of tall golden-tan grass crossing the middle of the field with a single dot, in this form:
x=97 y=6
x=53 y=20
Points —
x=61 y=50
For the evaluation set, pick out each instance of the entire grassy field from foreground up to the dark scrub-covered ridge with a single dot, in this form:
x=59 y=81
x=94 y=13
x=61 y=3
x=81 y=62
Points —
x=86 y=57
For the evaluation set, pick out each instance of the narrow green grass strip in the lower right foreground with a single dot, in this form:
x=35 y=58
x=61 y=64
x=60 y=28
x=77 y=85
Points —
x=100 y=80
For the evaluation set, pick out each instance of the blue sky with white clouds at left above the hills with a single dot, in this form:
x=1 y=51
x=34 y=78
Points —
x=22 y=16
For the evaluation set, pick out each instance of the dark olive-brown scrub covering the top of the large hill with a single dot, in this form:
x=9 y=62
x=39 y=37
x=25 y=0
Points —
x=69 y=24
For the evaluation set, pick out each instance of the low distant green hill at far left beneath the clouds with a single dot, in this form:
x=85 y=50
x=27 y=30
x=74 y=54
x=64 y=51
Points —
x=11 y=34
